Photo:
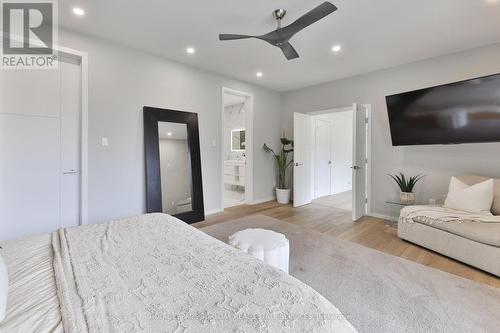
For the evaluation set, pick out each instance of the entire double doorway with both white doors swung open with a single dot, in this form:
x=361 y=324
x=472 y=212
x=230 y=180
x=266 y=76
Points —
x=331 y=159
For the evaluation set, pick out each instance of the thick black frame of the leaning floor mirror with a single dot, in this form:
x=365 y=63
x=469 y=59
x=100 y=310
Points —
x=152 y=154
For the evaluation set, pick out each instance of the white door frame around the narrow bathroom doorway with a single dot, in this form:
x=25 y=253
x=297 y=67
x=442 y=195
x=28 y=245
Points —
x=248 y=144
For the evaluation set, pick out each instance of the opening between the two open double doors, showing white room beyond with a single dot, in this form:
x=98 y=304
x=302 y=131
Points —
x=333 y=144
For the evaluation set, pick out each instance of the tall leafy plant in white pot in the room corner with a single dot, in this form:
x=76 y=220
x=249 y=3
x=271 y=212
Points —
x=282 y=164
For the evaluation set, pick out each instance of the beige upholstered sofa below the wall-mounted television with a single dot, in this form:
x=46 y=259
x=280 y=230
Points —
x=474 y=243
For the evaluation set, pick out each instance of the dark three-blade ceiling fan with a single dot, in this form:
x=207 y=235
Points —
x=281 y=36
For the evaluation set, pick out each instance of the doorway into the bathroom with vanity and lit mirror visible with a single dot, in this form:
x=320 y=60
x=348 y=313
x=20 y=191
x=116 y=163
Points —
x=237 y=110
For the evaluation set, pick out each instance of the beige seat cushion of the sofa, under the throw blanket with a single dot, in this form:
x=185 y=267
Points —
x=485 y=233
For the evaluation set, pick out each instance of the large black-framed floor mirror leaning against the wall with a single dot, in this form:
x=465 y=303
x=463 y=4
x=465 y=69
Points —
x=173 y=164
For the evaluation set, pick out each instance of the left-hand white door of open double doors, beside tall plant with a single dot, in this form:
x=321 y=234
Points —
x=302 y=170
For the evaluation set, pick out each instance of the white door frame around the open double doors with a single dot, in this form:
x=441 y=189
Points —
x=368 y=108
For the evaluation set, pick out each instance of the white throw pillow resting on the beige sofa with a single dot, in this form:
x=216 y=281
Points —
x=477 y=198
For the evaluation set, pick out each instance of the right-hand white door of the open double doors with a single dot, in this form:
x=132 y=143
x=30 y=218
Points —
x=359 y=162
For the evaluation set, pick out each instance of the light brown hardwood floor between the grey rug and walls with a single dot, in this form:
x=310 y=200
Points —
x=369 y=231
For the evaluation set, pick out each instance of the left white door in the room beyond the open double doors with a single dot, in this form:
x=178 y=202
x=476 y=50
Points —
x=322 y=158
